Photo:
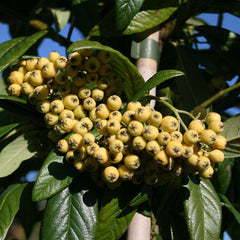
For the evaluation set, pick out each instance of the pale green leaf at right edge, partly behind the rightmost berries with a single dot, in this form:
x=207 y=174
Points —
x=232 y=134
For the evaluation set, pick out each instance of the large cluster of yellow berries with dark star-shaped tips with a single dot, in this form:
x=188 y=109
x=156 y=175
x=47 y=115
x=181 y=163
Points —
x=139 y=144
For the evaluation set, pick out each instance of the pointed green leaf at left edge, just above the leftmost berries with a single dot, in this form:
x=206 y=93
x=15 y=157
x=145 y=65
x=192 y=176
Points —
x=15 y=48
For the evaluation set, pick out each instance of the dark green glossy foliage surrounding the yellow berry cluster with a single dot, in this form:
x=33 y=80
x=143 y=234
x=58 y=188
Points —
x=190 y=78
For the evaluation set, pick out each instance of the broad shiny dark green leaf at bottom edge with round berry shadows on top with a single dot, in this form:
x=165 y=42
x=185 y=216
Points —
x=71 y=214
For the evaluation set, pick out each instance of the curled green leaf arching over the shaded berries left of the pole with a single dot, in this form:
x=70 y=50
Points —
x=133 y=80
